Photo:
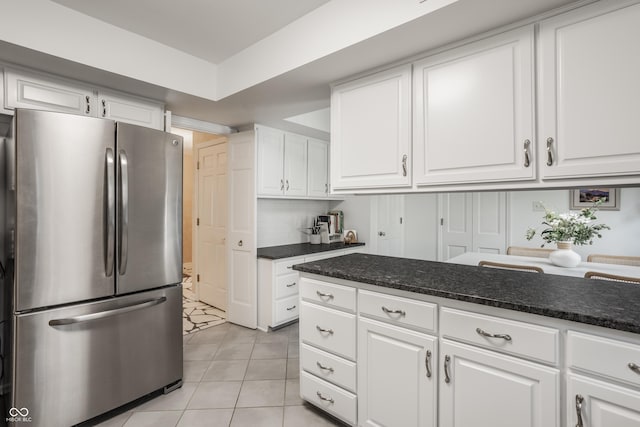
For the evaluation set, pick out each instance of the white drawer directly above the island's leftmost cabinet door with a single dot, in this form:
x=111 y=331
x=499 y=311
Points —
x=398 y=310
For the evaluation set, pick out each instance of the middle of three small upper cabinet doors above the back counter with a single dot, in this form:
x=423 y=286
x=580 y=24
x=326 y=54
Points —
x=295 y=165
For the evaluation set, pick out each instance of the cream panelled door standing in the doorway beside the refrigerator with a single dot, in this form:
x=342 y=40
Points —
x=212 y=225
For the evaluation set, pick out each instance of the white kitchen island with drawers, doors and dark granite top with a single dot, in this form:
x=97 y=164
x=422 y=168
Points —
x=425 y=338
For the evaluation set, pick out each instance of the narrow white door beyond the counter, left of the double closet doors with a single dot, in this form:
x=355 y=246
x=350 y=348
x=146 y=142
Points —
x=388 y=224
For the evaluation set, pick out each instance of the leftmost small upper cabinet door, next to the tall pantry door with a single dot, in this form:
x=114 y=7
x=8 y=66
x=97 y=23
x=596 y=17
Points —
x=270 y=161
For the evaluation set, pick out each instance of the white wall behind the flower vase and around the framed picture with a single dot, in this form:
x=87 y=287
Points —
x=622 y=239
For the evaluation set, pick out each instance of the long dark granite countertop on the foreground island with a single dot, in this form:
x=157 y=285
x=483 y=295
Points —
x=612 y=305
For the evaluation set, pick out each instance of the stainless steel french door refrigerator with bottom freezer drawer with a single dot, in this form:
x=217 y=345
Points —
x=97 y=298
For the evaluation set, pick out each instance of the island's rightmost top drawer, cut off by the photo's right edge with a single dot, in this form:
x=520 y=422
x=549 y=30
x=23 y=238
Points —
x=603 y=356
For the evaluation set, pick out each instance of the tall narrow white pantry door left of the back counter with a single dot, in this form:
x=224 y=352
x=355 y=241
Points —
x=242 y=287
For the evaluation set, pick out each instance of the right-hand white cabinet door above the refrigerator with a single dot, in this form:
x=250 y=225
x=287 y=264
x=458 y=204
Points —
x=132 y=110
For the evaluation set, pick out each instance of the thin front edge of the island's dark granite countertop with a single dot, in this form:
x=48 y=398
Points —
x=574 y=317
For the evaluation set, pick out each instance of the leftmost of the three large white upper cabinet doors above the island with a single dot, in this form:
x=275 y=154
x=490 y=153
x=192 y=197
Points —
x=371 y=131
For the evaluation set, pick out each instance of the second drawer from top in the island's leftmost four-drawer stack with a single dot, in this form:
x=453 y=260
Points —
x=328 y=329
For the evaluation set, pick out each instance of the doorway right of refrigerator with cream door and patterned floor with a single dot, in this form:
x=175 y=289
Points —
x=204 y=229
